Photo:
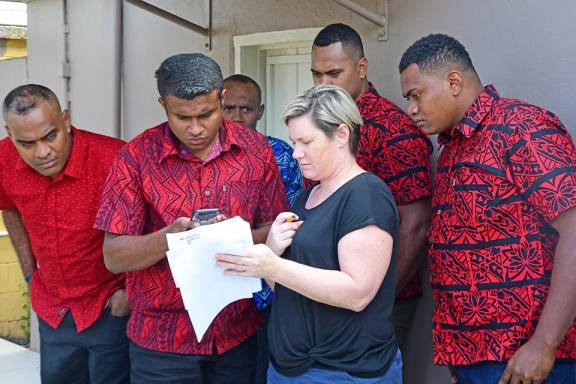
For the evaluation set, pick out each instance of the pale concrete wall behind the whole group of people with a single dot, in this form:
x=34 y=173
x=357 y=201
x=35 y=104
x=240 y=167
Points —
x=524 y=47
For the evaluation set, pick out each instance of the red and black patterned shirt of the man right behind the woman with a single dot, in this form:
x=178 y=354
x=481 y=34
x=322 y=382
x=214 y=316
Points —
x=393 y=148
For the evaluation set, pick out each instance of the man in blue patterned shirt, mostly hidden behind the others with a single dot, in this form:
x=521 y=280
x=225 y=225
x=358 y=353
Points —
x=243 y=104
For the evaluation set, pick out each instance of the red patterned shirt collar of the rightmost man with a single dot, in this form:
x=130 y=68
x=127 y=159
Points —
x=473 y=116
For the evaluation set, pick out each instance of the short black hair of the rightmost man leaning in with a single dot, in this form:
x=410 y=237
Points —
x=434 y=51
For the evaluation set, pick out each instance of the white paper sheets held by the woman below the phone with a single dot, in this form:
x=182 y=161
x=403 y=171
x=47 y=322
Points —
x=204 y=288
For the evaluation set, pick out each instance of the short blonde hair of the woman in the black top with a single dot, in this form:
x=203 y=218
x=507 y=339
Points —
x=328 y=106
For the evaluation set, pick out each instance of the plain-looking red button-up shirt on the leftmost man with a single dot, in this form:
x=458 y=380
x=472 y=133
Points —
x=58 y=215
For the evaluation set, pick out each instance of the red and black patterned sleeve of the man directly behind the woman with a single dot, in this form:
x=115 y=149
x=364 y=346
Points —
x=399 y=154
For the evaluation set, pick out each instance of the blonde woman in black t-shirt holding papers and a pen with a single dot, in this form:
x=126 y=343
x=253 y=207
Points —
x=333 y=269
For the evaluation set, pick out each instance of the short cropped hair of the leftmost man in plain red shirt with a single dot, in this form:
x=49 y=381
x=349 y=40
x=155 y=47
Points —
x=23 y=99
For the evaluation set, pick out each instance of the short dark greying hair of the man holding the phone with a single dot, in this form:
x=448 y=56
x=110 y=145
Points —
x=188 y=75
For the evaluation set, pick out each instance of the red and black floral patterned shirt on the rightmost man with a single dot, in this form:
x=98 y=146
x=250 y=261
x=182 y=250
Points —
x=505 y=172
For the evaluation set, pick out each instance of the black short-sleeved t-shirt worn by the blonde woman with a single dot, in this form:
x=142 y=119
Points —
x=304 y=333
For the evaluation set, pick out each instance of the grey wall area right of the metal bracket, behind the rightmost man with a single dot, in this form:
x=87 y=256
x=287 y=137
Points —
x=523 y=47
